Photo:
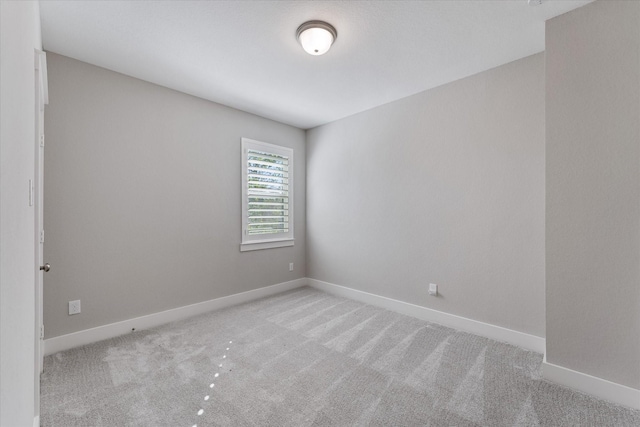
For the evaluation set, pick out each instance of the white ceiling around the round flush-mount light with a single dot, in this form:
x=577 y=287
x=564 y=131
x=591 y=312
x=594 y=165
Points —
x=244 y=53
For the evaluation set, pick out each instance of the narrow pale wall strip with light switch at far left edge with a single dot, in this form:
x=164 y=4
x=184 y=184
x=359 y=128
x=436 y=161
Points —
x=20 y=35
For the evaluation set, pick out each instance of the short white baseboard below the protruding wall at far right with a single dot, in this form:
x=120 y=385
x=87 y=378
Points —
x=585 y=383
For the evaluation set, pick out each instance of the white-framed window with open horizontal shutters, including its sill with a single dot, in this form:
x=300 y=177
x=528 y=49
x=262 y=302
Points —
x=267 y=195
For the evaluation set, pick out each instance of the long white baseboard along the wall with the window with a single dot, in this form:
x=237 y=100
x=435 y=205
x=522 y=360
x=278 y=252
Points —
x=88 y=336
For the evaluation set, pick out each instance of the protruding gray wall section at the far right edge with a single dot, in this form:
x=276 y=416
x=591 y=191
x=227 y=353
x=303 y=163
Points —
x=593 y=191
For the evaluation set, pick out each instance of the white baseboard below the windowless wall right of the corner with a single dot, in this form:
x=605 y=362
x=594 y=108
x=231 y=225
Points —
x=498 y=333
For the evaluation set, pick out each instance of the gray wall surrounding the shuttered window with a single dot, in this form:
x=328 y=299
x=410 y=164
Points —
x=142 y=199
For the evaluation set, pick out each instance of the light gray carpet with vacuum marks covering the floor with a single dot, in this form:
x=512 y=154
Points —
x=305 y=358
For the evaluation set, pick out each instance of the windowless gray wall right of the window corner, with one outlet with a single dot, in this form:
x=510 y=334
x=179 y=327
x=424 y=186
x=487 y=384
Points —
x=447 y=187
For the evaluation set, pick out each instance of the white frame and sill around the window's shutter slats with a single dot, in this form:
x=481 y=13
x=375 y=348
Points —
x=267 y=241
